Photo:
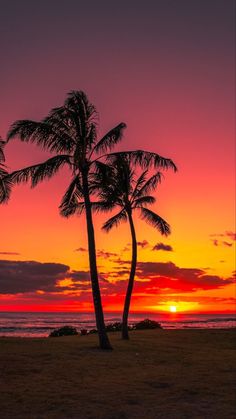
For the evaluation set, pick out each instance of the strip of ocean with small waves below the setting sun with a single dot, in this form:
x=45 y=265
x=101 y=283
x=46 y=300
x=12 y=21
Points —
x=41 y=324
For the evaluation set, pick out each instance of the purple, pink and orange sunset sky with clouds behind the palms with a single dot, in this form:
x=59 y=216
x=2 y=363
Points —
x=164 y=67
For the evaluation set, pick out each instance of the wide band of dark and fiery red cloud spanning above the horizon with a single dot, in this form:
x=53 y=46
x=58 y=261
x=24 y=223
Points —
x=43 y=280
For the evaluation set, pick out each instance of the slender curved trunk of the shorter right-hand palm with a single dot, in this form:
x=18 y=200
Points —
x=125 y=334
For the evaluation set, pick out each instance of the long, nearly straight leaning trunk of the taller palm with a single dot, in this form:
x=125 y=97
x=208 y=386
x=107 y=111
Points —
x=103 y=338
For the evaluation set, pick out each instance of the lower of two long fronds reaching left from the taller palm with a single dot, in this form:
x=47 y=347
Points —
x=39 y=172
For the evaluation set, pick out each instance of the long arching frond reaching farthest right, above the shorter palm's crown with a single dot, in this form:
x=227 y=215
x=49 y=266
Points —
x=145 y=159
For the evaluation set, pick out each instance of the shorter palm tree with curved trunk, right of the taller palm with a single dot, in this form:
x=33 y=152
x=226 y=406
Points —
x=130 y=193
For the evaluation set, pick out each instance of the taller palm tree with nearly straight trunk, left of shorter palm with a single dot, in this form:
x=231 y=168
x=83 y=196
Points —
x=70 y=131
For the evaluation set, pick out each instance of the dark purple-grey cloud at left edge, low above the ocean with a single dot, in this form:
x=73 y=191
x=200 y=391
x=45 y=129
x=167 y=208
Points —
x=27 y=276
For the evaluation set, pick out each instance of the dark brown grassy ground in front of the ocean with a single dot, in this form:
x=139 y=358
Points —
x=157 y=374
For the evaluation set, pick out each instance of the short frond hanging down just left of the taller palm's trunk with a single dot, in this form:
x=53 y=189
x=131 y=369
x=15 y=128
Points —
x=69 y=203
